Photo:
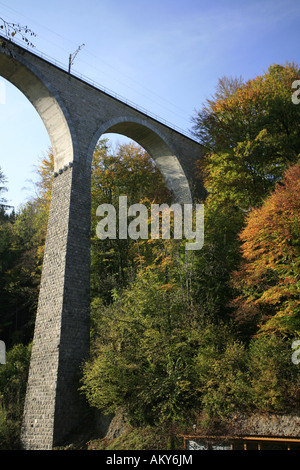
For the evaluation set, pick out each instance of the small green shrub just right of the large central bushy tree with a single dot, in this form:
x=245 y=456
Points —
x=221 y=370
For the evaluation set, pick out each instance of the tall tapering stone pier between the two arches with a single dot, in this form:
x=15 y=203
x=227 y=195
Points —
x=61 y=338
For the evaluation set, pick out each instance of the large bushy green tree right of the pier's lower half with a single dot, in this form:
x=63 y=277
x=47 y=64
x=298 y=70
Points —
x=142 y=352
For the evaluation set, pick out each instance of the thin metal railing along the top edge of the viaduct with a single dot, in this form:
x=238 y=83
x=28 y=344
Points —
x=99 y=87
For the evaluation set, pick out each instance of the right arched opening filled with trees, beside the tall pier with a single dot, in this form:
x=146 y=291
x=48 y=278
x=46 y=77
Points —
x=124 y=176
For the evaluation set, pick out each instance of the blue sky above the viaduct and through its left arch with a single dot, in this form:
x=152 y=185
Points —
x=164 y=55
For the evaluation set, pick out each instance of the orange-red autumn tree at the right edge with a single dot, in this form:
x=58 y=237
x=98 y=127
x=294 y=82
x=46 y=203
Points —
x=268 y=280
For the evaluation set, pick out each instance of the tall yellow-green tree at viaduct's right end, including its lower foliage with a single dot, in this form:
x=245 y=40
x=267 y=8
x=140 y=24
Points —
x=250 y=131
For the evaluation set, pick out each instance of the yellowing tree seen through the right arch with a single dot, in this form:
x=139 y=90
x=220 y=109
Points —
x=128 y=171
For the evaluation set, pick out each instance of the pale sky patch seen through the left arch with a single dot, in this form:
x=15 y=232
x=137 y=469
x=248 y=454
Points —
x=24 y=140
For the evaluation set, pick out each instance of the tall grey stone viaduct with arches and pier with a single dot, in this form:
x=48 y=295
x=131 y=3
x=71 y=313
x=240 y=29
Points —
x=76 y=114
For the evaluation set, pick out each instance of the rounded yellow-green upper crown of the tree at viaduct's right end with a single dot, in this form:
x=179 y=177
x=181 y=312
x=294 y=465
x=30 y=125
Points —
x=252 y=132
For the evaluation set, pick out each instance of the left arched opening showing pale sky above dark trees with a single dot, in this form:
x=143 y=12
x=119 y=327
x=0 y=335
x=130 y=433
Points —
x=24 y=139
